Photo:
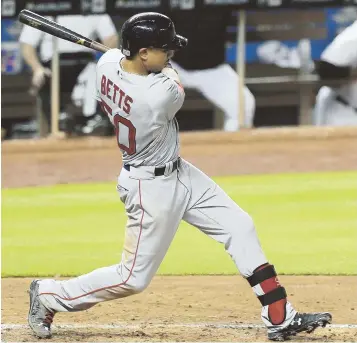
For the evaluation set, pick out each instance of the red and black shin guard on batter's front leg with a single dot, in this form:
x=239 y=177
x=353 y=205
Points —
x=271 y=294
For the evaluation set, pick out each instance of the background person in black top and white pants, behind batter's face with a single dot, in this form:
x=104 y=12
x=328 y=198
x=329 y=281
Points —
x=202 y=65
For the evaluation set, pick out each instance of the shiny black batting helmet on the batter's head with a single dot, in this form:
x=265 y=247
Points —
x=149 y=30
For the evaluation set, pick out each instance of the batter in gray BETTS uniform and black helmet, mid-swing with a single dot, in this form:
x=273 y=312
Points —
x=141 y=94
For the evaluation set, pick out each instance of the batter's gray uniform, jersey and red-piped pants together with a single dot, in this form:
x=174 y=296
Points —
x=142 y=109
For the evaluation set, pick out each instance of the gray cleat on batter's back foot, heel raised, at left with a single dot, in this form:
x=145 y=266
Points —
x=39 y=317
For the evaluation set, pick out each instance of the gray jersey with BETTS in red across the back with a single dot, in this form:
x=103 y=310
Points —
x=142 y=110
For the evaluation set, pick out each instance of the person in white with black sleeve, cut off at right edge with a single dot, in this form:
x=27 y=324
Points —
x=338 y=106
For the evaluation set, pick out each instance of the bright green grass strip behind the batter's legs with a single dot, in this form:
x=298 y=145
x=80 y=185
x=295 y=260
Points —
x=307 y=224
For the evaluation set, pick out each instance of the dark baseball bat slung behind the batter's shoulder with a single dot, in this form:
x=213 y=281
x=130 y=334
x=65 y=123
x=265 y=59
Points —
x=40 y=23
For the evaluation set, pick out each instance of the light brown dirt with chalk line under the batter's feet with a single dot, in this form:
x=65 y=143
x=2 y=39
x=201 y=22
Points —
x=175 y=309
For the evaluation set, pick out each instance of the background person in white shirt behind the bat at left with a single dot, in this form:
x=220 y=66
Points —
x=37 y=51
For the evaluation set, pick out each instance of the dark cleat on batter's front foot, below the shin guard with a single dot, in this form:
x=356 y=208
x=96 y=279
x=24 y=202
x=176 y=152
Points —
x=302 y=322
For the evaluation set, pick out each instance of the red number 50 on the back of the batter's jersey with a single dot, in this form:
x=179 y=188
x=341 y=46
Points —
x=117 y=120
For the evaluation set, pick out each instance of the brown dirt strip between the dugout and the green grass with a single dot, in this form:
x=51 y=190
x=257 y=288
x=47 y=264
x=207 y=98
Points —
x=44 y=162
